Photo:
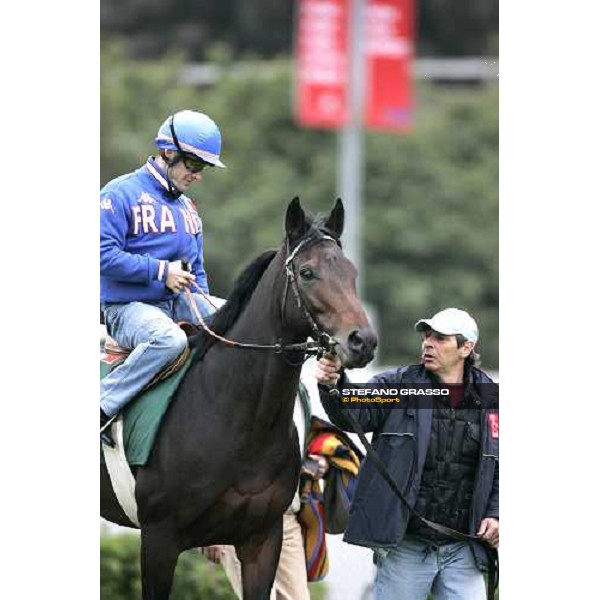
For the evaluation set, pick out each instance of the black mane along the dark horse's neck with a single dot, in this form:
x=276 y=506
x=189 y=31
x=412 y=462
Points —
x=227 y=315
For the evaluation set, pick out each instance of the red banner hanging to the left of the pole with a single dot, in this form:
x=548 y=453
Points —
x=323 y=63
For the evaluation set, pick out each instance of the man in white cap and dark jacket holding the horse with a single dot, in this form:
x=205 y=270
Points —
x=442 y=454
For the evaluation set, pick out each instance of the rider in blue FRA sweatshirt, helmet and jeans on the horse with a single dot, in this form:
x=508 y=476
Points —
x=151 y=250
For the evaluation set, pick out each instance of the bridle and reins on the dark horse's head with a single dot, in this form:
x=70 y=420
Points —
x=321 y=344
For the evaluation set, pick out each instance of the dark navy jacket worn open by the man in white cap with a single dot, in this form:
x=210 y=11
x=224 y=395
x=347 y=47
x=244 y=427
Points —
x=378 y=519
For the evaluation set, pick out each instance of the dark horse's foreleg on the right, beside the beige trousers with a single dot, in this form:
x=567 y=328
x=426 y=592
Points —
x=259 y=557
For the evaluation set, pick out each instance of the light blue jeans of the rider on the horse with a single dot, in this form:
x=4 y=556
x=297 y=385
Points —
x=150 y=330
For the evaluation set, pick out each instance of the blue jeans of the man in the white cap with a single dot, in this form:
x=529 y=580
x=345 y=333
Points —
x=416 y=568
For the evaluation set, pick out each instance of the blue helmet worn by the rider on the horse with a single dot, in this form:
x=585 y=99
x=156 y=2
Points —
x=192 y=133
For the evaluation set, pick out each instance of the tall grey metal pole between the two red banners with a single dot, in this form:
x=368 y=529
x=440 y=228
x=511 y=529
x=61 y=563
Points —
x=350 y=144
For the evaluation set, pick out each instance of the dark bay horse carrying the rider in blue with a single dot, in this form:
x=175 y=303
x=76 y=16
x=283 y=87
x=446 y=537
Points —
x=226 y=462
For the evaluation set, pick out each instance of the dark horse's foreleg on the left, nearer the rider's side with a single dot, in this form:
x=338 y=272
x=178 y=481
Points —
x=160 y=551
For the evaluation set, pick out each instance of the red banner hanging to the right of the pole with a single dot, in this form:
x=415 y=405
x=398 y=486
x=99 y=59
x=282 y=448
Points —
x=389 y=41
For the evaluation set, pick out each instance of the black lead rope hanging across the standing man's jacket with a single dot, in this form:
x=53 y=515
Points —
x=492 y=553
